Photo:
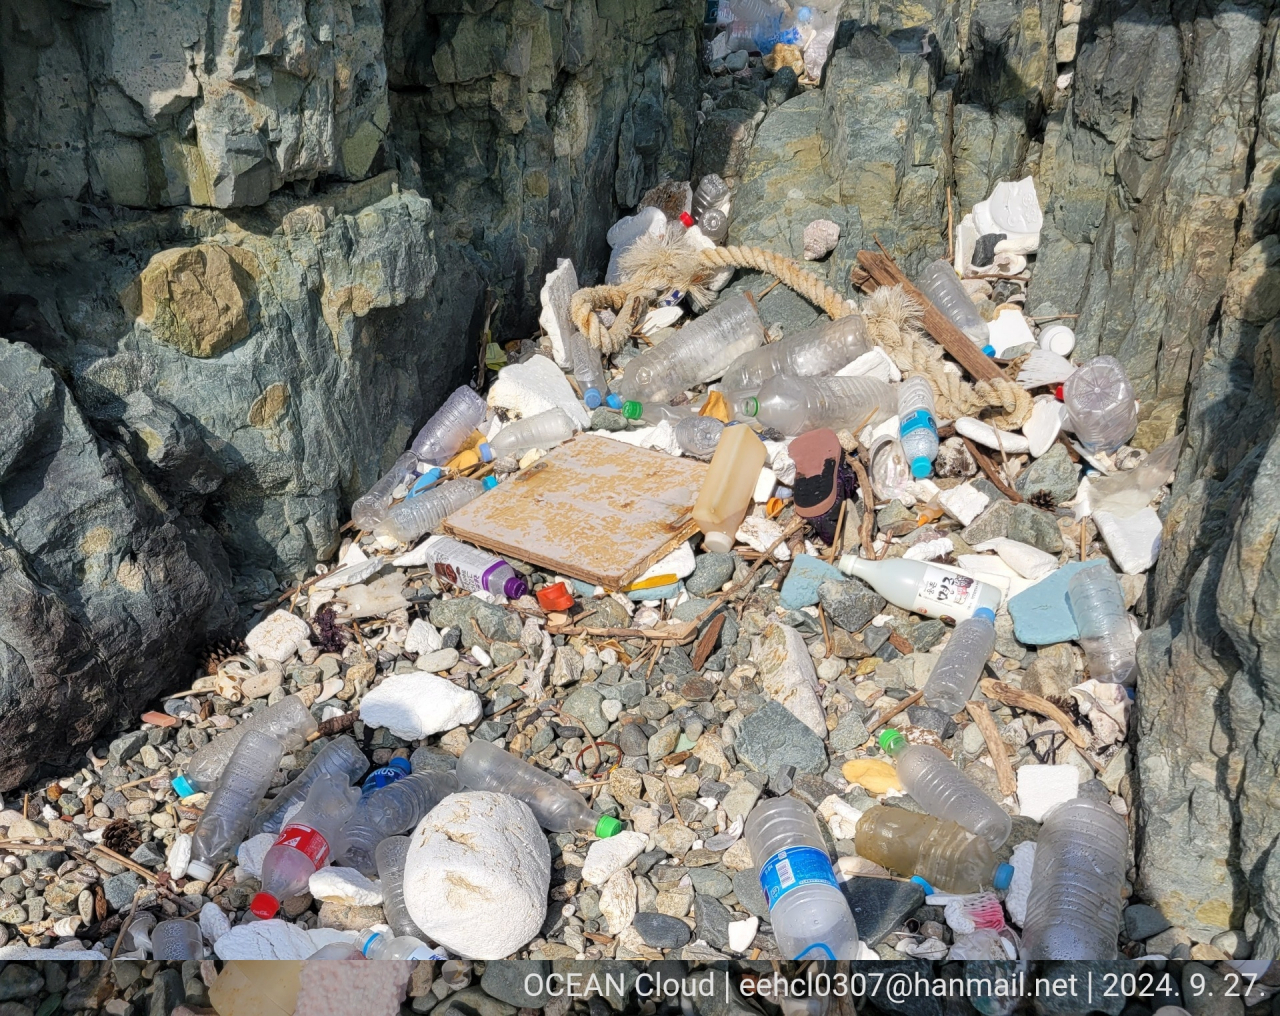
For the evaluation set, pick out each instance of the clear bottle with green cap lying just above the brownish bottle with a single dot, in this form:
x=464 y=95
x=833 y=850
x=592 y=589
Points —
x=939 y=788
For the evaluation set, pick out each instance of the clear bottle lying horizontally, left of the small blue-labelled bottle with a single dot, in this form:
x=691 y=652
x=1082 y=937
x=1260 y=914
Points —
x=799 y=405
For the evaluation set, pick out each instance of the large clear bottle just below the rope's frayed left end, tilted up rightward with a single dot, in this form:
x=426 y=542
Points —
x=700 y=353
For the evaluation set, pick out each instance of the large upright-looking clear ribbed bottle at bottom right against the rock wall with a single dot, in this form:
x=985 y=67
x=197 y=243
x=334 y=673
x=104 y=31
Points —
x=1075 y=909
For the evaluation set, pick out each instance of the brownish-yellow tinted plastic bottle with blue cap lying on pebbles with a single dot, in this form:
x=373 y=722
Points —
x=939 y=852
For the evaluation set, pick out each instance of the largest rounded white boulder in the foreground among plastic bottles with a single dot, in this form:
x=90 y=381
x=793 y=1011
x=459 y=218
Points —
x=477 y=876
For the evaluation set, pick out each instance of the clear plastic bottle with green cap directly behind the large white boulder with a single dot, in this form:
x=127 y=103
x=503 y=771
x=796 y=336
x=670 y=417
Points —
x=557 y=807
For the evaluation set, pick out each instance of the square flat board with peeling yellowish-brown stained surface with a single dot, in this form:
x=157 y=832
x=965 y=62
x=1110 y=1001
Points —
x=593 y=509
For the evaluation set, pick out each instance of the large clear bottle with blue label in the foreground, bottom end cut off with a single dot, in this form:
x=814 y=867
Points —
x=810 y=914
